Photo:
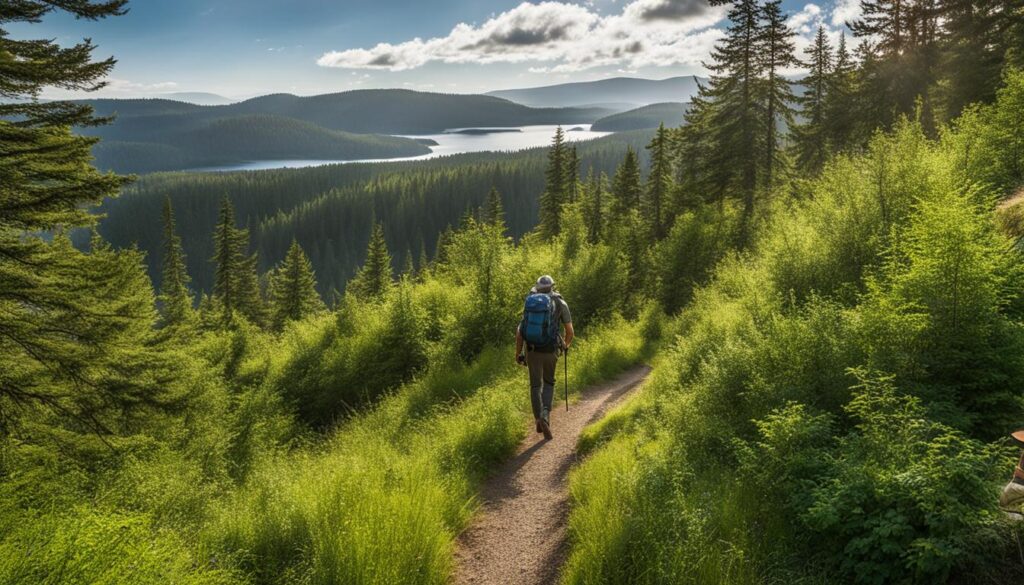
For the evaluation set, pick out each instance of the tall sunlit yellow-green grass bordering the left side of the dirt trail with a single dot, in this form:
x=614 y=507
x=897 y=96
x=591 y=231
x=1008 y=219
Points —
x=385 y=498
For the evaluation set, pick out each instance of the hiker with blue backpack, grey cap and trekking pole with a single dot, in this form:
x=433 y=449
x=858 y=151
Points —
x=540 y=335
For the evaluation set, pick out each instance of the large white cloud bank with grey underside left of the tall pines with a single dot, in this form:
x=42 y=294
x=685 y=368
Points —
x=566 y=37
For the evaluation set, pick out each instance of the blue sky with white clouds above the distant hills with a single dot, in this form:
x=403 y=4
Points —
x=241 y=49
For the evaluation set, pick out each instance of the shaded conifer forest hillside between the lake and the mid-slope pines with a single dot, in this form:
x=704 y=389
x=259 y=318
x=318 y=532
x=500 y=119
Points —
x=329 y=210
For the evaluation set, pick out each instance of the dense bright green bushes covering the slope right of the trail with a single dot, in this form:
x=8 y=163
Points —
x=821 y=414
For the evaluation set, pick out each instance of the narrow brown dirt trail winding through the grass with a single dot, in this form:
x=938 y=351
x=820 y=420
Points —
x=520 y=534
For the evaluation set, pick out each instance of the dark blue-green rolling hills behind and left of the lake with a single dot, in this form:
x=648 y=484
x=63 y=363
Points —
x=167 y=135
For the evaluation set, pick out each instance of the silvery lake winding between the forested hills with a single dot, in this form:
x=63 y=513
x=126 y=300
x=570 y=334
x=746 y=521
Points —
x=454 y=142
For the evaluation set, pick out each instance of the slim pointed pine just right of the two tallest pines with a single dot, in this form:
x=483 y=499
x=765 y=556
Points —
x=810 y=138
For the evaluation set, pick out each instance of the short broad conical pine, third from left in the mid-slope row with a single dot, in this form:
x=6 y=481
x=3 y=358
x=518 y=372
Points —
x=293 y=288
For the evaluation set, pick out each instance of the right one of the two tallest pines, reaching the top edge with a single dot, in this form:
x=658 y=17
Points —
x=778 y=55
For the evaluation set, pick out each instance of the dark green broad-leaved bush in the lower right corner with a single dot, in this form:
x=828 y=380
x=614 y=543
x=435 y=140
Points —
x=909 y=499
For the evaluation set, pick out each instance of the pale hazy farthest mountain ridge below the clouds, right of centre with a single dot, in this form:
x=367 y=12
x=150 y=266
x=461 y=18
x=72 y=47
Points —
x=631 y=91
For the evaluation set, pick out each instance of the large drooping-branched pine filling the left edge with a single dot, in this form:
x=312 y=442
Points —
x=75 y=326
